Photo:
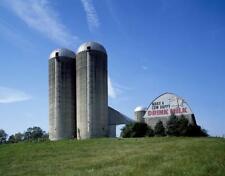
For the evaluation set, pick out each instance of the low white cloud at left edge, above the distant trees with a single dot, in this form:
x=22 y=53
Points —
x=8 y=95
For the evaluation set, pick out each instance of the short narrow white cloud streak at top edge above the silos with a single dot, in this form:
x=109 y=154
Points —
x=92 y=17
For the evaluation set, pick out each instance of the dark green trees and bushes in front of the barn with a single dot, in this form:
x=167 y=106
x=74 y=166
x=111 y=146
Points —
x=175 y=126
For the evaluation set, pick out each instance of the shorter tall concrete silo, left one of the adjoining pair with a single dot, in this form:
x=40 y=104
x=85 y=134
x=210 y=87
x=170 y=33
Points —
x=62 y=94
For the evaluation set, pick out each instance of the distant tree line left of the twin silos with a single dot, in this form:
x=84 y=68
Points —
x=31 y=134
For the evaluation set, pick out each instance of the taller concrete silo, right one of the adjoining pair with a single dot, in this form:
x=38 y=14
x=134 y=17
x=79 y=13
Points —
x=92 y=91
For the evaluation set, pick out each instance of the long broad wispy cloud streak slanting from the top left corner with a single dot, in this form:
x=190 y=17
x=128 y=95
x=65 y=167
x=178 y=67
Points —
x=38 y=15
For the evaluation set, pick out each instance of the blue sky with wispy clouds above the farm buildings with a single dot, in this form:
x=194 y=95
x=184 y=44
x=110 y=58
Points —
x=154 y=46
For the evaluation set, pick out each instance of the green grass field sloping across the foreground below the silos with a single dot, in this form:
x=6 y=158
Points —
x=144 y=156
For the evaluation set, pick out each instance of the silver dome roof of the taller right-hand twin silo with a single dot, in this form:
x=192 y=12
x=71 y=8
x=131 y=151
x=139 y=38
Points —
x=93 y=46
